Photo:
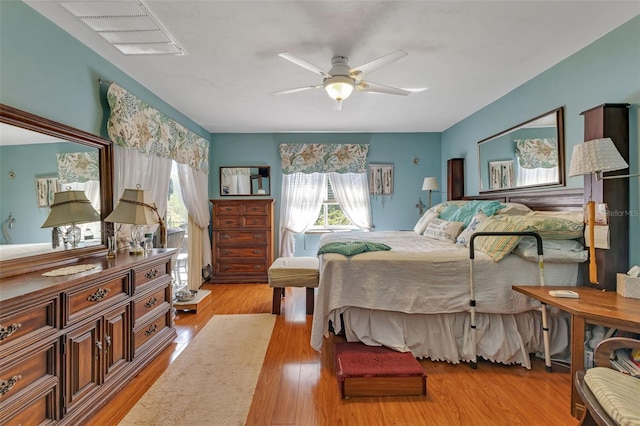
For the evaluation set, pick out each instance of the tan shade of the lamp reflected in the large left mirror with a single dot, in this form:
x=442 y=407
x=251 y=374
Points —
x=70 y=207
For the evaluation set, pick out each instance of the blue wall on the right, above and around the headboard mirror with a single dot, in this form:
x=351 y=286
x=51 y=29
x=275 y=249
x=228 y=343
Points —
x=607 y=71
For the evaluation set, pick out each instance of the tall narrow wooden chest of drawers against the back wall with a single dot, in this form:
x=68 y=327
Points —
x=242 y=240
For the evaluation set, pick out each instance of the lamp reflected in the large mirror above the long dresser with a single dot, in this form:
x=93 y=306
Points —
x=69 y=207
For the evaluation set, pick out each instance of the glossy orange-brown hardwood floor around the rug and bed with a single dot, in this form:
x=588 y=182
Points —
x=297 y=385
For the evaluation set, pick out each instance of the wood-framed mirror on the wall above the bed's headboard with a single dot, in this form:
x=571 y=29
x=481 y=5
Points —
x=528 y=155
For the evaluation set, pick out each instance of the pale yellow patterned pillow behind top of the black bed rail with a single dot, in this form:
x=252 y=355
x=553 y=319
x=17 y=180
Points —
x=498 y=247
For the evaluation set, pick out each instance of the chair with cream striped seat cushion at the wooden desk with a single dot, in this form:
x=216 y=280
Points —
x=611 y=397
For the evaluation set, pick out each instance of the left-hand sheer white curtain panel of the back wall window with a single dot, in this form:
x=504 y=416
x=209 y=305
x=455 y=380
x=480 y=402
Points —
x=301 y=202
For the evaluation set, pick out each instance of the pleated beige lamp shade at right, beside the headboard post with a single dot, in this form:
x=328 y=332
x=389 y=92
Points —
x=596 y=156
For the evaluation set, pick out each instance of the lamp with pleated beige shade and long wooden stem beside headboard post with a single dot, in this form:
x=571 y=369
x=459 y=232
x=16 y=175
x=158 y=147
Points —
x=593 y=158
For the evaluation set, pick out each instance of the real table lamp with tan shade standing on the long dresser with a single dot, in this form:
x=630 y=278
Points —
x=136 y=209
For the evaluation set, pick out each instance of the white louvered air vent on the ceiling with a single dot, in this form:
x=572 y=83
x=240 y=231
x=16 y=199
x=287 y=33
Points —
x=128 y=25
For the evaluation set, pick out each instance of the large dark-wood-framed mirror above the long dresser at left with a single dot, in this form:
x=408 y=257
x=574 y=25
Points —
x=33 y=152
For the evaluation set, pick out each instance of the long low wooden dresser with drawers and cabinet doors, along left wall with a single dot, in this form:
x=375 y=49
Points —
x=68 y=343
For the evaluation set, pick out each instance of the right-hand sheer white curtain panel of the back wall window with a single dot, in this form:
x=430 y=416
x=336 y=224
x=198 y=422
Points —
x=352 y=193
